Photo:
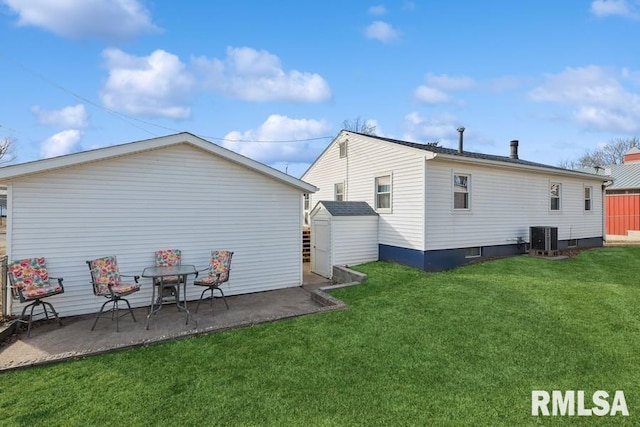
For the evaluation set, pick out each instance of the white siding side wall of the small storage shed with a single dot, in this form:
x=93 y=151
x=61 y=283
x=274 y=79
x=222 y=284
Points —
x=355 y=239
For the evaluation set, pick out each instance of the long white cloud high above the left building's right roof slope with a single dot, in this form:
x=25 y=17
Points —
x=253 y=75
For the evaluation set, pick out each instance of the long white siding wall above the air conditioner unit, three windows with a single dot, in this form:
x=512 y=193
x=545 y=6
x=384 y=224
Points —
x=504 y=204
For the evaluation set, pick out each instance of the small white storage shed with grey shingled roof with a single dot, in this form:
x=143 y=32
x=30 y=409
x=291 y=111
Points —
x=342 y=233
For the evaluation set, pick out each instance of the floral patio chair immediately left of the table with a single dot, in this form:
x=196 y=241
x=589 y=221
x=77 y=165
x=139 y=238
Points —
x=107 y=282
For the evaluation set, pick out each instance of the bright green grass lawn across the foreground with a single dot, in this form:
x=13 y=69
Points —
x=463 y=347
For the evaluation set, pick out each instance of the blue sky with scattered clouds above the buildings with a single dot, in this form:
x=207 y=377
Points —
x=275 y=80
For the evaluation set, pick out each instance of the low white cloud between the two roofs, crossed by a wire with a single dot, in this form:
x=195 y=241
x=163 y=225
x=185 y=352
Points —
x=280 y=128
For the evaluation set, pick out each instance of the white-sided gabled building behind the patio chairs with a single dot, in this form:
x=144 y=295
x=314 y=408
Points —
x=177 y=191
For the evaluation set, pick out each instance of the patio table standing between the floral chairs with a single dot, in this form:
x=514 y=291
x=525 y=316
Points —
x=182 y=272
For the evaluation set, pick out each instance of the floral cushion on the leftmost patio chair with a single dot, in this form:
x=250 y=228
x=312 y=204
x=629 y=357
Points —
x=30 y=278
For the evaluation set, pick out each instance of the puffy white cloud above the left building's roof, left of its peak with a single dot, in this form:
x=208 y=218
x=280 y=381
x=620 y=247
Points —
x=156 y=85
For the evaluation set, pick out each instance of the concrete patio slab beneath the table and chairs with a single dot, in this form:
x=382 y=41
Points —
x=50 y=343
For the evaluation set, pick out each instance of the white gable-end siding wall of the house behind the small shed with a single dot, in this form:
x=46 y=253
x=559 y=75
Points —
x=366 y=159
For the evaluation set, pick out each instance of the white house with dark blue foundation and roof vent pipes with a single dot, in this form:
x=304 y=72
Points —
x=440 y=207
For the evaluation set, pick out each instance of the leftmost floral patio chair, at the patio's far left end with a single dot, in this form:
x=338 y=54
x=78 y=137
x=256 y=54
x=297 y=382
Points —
x=30 y=282
